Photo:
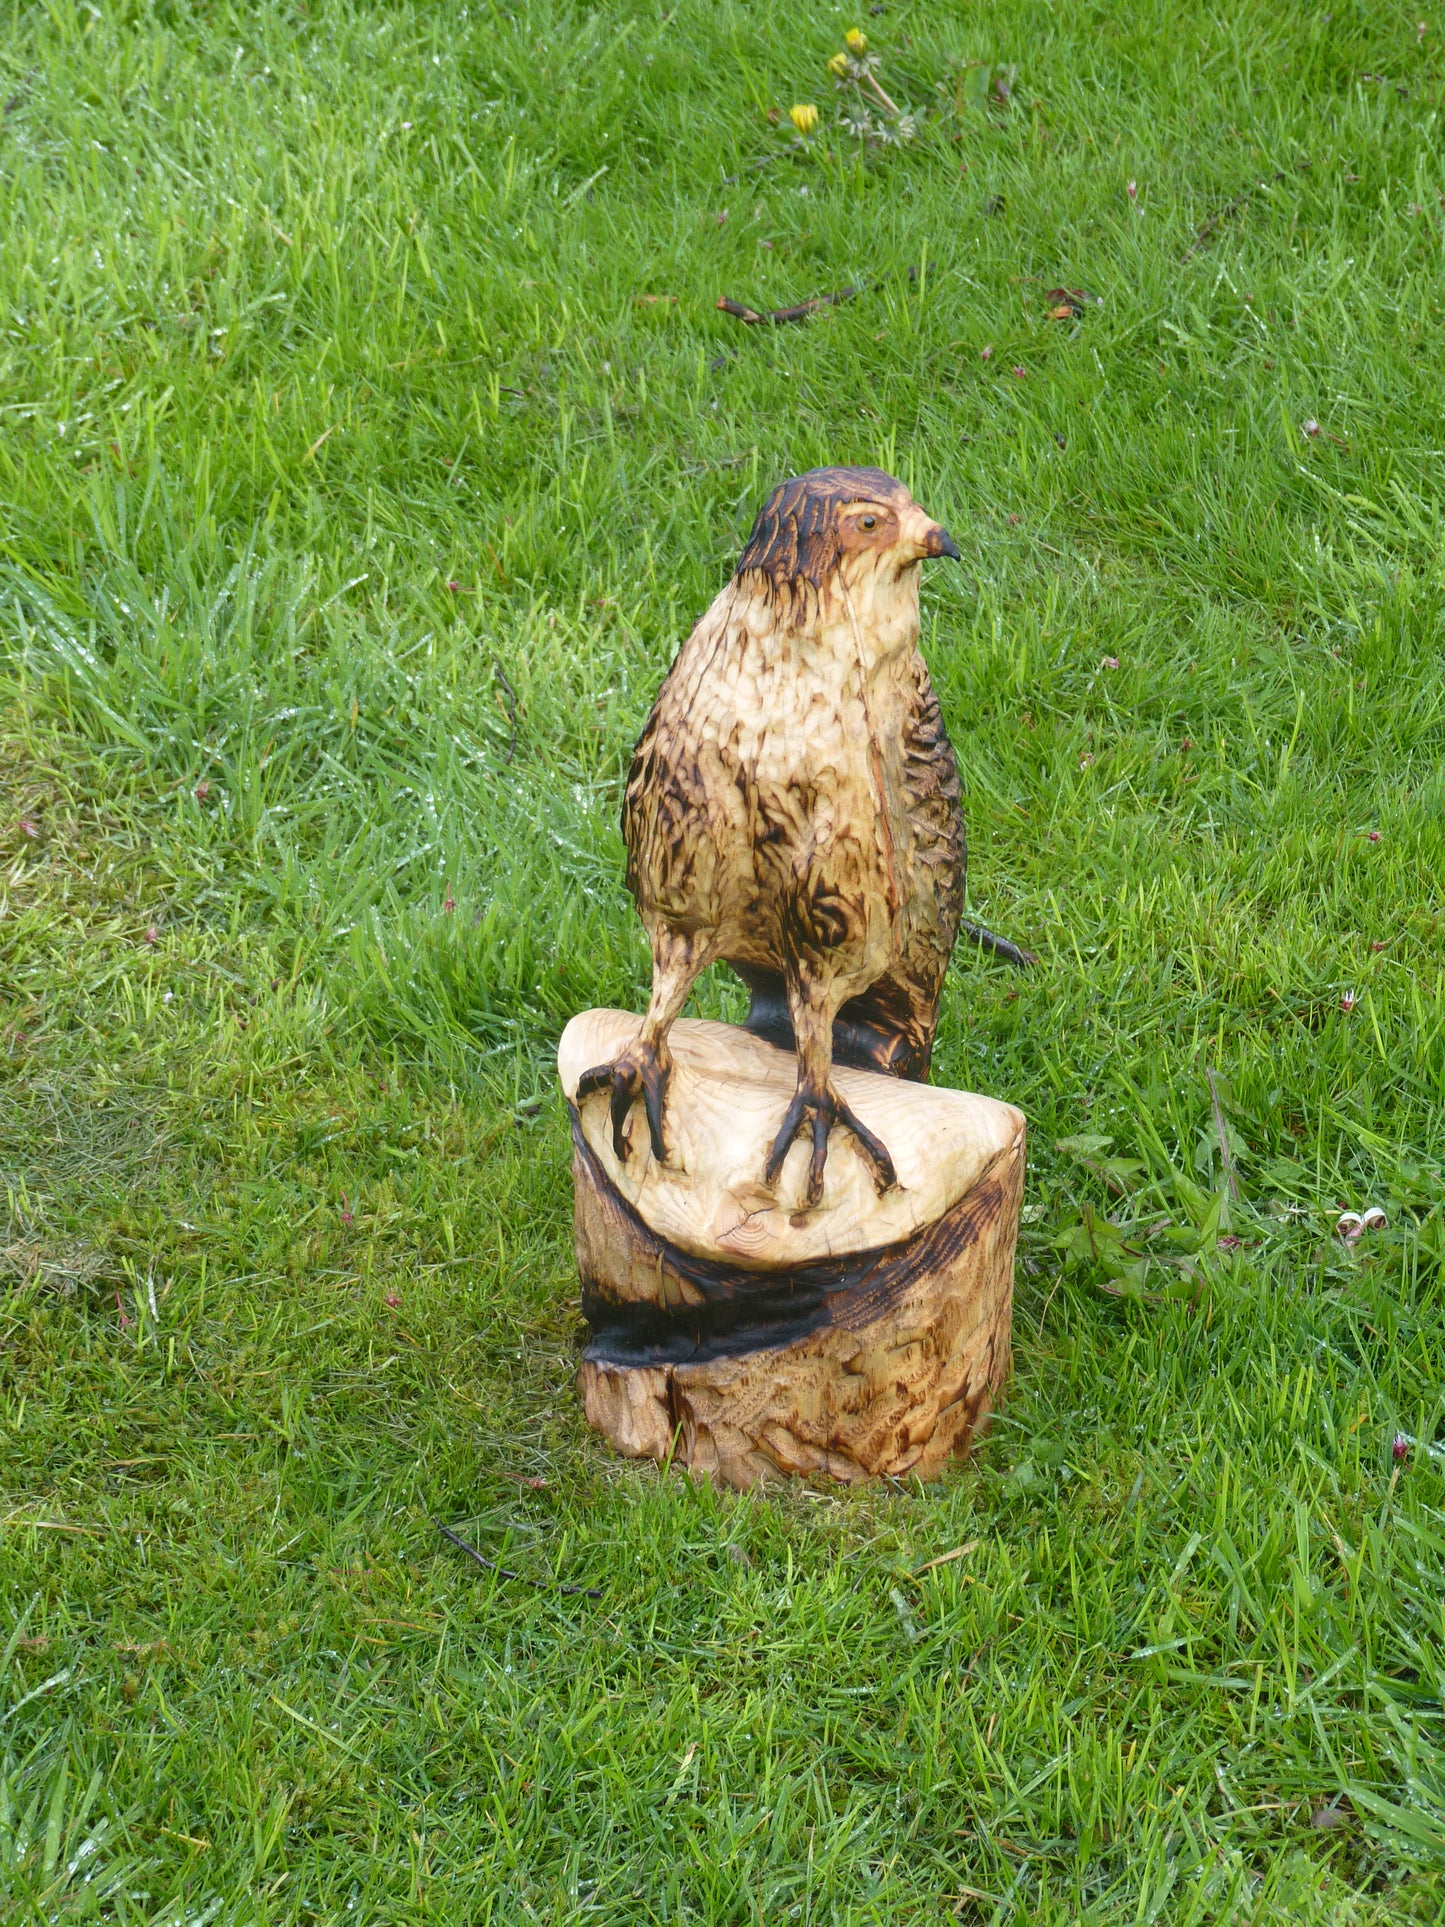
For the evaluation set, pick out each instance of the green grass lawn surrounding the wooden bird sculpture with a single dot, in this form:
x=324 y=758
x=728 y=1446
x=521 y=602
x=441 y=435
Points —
x=369 y=440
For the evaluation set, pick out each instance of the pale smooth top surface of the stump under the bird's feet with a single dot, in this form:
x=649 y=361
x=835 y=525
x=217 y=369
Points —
x=725 y=1103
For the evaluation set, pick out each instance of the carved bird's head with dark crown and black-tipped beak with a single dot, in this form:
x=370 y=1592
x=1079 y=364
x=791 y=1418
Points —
x=854 y=527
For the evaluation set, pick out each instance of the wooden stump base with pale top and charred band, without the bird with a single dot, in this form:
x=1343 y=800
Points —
x=745 y=1334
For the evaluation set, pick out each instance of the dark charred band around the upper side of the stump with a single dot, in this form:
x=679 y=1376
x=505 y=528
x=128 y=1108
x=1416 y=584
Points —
x=725 y=1311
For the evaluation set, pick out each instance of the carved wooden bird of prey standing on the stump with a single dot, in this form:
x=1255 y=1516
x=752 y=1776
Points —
x=795 y=812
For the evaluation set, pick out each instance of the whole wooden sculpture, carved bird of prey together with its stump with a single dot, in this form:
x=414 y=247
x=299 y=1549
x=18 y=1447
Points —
x=795 y=1255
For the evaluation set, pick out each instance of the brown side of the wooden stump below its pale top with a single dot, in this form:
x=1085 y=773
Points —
x=881 y=1363
